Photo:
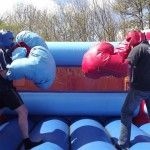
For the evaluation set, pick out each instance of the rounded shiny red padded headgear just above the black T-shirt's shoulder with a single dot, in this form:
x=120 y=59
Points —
x=135 y=37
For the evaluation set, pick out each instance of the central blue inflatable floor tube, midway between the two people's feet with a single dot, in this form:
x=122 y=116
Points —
x=89 y=134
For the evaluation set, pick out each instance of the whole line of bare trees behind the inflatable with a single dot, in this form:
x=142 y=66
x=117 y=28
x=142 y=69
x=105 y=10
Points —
x=80 y=21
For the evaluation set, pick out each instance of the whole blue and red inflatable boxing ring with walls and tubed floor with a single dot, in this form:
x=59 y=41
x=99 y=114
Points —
x=83 y=118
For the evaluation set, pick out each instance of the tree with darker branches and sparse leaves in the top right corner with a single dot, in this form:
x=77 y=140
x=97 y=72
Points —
x=134 y=12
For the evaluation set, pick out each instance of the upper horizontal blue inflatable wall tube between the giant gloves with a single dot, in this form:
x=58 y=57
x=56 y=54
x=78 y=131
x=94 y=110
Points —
x=70 y=53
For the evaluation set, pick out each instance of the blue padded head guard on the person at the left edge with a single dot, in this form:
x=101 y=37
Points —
x=6 y=39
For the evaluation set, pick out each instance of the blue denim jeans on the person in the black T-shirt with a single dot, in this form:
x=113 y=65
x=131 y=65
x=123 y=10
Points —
x=133 y=100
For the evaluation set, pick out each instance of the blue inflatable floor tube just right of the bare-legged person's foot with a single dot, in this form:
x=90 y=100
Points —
x=54 y=133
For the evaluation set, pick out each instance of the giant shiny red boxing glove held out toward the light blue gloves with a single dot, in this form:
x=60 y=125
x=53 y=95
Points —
x=100 y=61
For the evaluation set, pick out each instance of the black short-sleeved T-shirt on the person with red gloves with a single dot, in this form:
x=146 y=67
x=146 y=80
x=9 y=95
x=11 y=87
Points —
x=139 y=58
